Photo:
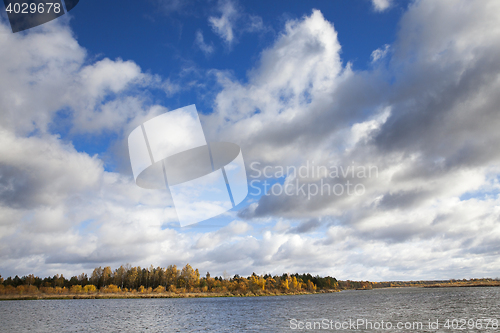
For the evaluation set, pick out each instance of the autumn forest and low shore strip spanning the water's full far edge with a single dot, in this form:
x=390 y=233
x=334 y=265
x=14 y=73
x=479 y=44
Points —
x=128 y=281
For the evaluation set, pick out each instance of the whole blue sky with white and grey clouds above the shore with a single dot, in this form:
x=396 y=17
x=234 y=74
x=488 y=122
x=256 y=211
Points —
x=391 y=105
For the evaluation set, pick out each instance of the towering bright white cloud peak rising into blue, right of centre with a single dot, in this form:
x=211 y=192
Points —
x=295 y=77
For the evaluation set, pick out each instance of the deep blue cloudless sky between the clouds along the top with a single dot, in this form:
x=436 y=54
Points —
x=160 y=37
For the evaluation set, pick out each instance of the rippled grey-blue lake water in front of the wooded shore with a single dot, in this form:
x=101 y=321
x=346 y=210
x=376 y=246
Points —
x=261 y=314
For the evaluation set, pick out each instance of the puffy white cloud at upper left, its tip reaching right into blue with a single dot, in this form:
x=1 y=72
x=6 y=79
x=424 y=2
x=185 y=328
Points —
x=45 y=72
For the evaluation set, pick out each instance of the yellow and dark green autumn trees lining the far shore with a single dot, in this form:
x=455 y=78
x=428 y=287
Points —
x=127 y=278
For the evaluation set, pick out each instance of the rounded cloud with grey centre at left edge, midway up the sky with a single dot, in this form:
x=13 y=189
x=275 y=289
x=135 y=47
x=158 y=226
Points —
x=42 y=171
